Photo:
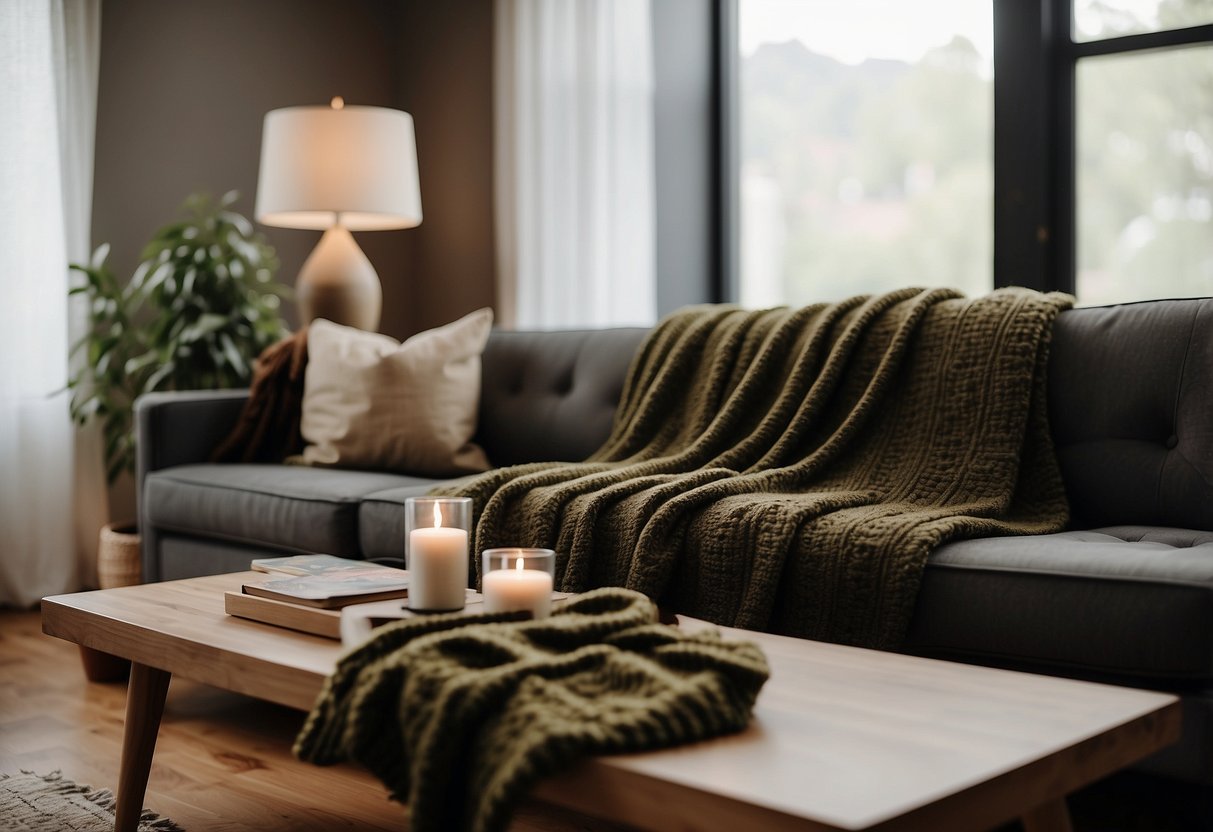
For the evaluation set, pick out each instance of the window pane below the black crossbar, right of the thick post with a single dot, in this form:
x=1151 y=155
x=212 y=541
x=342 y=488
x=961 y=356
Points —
x=1146 y=175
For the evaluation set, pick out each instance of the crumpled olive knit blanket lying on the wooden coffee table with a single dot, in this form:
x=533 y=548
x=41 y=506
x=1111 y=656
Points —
x=462 y=715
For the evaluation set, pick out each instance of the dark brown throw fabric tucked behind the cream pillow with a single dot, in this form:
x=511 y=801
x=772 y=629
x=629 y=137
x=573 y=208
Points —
x=269 y=429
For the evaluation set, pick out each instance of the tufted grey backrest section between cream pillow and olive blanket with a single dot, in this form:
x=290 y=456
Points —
x=551 y=396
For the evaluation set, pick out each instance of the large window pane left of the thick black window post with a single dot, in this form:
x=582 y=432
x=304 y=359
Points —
x=867 y=151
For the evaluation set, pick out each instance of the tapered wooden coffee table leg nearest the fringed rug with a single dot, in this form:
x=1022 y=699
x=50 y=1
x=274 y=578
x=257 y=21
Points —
x=145 y=705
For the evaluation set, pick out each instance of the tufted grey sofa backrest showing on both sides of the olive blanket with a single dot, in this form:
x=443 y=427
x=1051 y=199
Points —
x=1131 y=406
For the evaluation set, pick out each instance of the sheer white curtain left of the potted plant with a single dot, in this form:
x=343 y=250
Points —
x=48 y=95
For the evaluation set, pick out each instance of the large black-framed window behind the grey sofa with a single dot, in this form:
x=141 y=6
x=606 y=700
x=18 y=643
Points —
x=1063 y=145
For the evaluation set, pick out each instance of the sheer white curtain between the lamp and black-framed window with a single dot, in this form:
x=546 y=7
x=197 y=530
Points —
x=574 y=163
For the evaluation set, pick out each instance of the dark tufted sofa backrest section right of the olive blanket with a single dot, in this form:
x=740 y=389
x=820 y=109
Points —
x=1131 y=404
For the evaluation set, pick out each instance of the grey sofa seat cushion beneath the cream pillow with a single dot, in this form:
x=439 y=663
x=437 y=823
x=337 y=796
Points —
x=284 y=508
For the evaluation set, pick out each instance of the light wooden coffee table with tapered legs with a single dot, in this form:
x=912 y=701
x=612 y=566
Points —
x=842 y=739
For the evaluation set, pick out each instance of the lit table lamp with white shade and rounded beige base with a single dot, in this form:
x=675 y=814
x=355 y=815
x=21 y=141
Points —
x=339 y=169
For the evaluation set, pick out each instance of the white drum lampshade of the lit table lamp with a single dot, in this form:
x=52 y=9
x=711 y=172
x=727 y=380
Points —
x=322 y=162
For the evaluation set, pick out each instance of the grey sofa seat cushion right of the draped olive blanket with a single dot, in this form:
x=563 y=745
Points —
x=1123 y=602
